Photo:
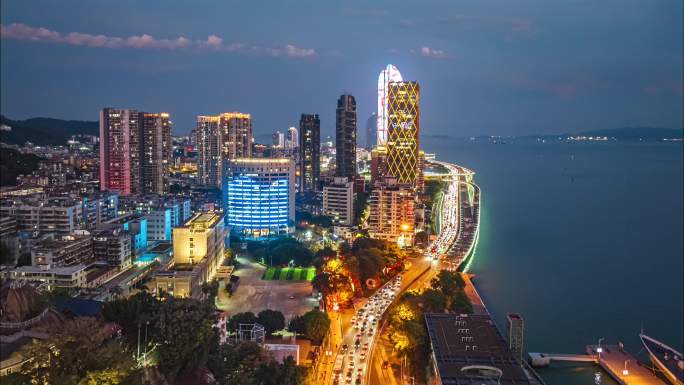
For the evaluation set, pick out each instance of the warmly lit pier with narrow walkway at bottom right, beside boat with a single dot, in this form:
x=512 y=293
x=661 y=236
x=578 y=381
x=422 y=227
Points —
x=618 y=363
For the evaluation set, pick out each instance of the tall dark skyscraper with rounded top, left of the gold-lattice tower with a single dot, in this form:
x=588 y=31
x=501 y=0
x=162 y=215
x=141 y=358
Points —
x=345 y=136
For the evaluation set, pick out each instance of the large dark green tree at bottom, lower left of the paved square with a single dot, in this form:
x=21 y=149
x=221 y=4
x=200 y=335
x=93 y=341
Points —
x=186 y=333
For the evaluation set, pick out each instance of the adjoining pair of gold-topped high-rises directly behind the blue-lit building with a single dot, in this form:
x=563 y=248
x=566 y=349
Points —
x=220 y=138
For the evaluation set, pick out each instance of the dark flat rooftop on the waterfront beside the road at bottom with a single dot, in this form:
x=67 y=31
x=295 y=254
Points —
x=469 y=350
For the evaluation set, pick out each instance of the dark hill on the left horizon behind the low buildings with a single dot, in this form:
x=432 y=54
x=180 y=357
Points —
x=45 y=130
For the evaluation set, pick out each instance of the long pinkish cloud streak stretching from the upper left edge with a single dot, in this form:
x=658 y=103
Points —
x=18 y=31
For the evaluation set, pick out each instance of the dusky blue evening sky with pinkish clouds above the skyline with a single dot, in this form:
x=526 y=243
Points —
x=485 y=67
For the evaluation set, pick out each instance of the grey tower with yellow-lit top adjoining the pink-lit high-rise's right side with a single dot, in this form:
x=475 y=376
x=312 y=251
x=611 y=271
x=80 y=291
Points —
x=156 y=152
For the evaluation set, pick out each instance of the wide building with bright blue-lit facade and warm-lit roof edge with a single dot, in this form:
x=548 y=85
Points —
x=258 y=196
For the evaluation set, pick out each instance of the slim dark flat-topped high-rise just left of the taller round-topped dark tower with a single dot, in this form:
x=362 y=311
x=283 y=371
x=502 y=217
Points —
x=310 y=152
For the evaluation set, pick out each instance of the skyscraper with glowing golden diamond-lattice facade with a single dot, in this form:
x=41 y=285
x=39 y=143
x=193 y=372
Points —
x=403 y=113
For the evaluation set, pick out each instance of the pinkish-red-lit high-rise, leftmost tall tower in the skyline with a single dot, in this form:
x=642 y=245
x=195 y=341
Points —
x=120 y=150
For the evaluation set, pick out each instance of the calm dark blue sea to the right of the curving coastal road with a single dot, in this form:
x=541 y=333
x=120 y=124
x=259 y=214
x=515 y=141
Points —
x=583 y=239
